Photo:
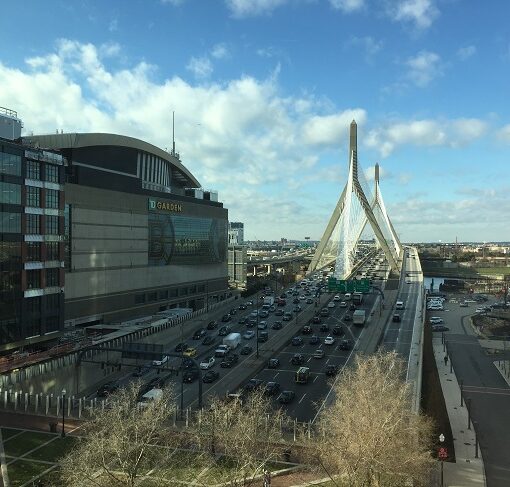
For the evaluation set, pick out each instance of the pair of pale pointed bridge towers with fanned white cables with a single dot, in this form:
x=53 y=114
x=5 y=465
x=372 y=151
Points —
x=355 y=209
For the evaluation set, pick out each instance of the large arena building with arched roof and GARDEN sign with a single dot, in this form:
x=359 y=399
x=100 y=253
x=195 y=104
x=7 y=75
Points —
x=141 y=235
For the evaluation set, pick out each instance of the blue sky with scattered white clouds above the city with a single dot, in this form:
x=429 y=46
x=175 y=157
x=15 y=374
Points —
x=264 y=91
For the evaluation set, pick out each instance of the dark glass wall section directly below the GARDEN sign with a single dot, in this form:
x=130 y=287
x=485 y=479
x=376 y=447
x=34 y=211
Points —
x=186 y=240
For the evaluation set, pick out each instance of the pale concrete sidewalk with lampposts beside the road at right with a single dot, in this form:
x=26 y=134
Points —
x=467 y=471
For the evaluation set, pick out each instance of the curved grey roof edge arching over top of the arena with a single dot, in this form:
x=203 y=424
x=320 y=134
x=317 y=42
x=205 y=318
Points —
x=77 y=140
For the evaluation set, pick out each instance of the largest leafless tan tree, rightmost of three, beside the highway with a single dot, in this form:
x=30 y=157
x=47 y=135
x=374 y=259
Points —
x=369 y=435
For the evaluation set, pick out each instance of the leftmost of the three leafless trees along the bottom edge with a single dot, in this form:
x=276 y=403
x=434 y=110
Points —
x=117 y=447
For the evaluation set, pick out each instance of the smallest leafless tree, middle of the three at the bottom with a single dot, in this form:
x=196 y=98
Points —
x=242 y=437
